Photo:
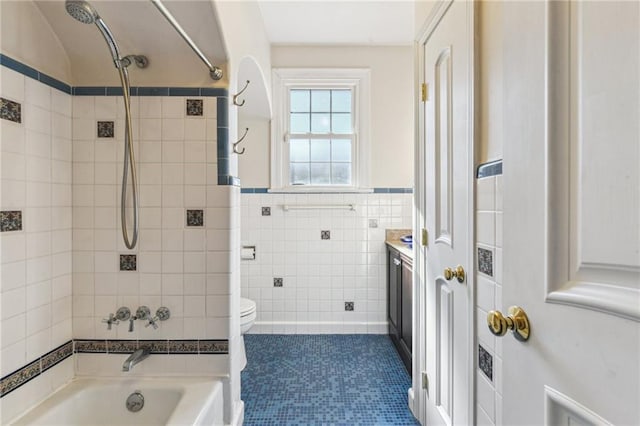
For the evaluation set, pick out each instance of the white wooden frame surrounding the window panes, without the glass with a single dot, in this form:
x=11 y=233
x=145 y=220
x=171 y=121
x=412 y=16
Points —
x=286 y=79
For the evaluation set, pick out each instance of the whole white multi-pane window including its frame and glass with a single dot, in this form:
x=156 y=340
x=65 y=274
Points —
x=320 y=132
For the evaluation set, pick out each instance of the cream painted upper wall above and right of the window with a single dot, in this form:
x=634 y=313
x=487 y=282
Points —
x=391 y=104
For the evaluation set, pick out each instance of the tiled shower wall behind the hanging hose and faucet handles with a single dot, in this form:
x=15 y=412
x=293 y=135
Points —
x=182 y=260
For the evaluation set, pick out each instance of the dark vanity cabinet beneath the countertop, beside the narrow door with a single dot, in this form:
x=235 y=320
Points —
x=399 y=302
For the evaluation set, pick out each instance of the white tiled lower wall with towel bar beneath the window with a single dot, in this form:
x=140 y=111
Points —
x=320 y=270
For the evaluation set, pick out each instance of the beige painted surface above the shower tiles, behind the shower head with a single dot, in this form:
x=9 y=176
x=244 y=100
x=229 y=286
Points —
x=139 y=28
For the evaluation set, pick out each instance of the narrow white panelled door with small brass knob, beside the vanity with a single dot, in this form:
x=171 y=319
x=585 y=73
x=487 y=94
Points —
x=448 y=218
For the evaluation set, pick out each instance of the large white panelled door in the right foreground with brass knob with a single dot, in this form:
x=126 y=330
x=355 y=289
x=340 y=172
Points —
x=571 y=212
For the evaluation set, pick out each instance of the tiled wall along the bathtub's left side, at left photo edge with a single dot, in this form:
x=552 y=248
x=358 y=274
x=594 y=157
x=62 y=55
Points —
x=36 y=237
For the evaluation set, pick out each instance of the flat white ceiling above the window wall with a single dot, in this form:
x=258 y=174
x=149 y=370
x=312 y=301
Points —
x=339 y=22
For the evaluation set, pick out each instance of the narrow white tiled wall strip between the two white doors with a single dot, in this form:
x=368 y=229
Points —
x=489 y=292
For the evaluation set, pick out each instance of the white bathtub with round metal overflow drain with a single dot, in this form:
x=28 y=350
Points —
x=102 y=401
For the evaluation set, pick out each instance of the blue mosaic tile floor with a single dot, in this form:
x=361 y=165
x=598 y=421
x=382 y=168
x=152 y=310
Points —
x=324 y=380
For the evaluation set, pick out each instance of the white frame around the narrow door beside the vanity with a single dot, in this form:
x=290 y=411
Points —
x=417 y=393
